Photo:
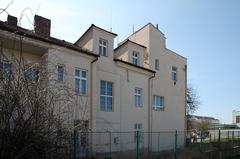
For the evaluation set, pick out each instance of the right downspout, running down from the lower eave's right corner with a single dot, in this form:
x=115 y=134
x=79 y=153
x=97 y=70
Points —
x=149 y=112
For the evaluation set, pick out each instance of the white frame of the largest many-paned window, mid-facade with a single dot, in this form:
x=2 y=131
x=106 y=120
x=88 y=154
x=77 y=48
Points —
x=106 y=96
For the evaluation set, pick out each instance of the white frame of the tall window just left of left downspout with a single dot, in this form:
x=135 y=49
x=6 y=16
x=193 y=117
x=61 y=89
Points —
x=81 y=79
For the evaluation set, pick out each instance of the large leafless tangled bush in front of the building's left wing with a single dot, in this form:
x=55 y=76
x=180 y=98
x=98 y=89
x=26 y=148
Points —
x=36 y=112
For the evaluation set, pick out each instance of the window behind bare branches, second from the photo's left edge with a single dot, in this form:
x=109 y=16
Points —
x=31 y=73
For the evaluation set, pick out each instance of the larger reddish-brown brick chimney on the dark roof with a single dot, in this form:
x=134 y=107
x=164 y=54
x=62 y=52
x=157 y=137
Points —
x=42 y=26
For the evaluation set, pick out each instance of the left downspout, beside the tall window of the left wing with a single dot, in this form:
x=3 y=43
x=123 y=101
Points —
x=91 y=93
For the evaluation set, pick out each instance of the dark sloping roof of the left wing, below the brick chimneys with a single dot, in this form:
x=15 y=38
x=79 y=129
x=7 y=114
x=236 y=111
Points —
x=30 y=34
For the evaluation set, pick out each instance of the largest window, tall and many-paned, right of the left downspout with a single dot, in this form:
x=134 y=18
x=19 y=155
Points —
x=106 y=96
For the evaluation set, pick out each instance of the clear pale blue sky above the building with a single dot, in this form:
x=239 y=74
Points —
x=207 y=32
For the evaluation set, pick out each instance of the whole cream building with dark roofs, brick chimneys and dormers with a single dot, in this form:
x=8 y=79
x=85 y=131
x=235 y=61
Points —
x=139 y=85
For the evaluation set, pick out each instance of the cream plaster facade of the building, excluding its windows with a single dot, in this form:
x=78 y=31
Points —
x=118 y=69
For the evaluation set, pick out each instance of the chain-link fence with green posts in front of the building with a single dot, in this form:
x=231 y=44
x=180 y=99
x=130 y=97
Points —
x=172 y=145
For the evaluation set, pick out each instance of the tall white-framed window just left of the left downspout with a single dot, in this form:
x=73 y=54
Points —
x=81 y=81
